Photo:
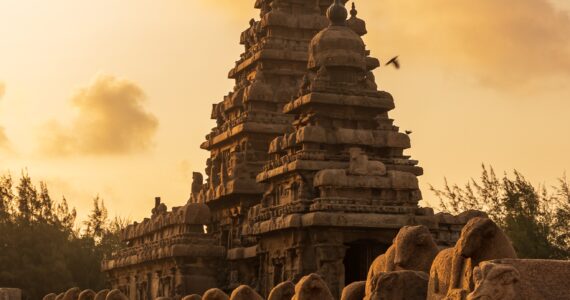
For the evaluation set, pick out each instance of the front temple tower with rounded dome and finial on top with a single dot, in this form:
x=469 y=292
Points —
x=339 y=187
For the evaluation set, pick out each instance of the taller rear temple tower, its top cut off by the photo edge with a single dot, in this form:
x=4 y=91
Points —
x=267 y=75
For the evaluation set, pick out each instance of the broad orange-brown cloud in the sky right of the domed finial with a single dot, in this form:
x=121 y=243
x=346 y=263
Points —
x=505 y=44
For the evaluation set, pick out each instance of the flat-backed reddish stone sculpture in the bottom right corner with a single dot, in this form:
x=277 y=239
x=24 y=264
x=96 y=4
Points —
x=521 y=279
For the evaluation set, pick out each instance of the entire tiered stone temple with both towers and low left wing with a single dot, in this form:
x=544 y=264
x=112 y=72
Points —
x=307 y=172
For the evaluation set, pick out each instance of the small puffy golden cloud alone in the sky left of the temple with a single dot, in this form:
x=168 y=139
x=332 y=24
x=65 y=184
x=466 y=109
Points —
x=111 y=119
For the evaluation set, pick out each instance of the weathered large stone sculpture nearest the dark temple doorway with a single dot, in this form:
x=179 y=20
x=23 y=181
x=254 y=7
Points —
x=412 y=249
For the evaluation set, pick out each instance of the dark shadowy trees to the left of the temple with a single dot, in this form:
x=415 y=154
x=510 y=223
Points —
x=41 y=251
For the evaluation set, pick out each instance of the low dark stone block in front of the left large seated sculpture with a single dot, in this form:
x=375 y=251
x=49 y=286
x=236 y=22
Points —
x=399 y=285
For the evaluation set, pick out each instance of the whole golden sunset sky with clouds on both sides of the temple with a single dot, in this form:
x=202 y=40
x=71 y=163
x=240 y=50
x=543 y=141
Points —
x=113 y=97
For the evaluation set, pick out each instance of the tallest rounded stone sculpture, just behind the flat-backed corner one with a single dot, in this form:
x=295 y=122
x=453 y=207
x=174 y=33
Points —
x=481 y=239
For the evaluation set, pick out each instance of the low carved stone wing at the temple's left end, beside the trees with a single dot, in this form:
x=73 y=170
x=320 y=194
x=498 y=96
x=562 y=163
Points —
x=167 y=255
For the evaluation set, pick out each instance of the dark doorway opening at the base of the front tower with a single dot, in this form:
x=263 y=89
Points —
x=358 y=258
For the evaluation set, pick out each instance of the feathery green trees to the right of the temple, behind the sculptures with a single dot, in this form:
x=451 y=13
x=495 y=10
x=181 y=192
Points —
x=536 y=219
